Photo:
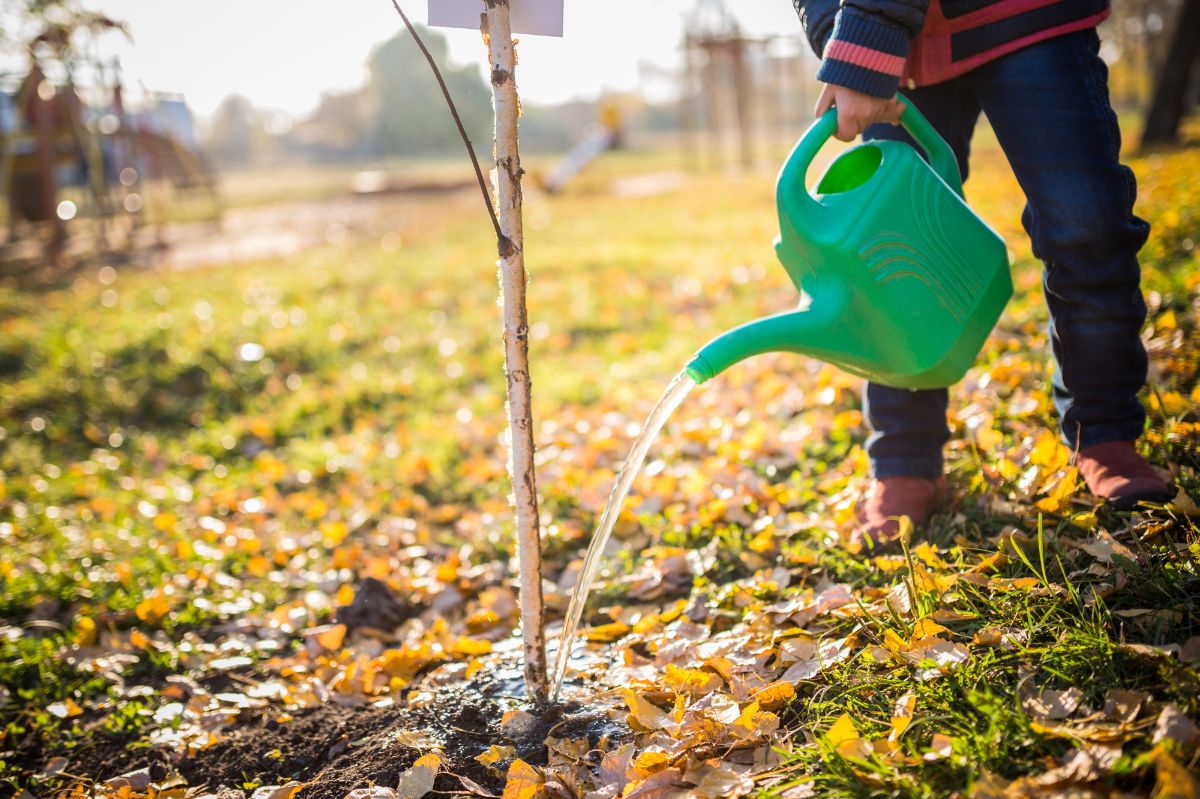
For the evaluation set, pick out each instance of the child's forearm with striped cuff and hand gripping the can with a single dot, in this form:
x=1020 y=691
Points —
x=865 y=45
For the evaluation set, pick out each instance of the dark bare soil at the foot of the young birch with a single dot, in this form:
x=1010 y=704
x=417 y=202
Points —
x=335 y=749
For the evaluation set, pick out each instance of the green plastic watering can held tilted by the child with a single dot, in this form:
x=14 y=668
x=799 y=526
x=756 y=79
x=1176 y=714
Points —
x=902 y=283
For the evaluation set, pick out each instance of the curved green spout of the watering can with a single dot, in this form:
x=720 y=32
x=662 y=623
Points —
x=819 y=332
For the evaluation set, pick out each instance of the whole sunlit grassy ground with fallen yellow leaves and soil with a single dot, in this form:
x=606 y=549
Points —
x=255 y=534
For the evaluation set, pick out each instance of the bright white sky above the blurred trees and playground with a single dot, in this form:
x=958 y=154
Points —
x=283 y=55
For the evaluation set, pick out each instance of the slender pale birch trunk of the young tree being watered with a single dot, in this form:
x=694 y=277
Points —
x=517 y=344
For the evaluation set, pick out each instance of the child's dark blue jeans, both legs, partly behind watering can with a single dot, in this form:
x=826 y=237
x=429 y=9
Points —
x=1049 y=107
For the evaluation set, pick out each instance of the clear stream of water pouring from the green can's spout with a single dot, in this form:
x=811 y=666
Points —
x=676 y=392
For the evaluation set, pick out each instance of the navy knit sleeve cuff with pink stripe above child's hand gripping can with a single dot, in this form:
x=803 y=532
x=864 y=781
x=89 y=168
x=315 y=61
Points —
x=865 y=55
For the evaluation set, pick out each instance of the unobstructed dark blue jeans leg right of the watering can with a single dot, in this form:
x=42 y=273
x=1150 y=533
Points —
x=1049 y=106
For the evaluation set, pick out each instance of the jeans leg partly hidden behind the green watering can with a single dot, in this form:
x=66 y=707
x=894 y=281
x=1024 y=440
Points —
x=909 y=428
